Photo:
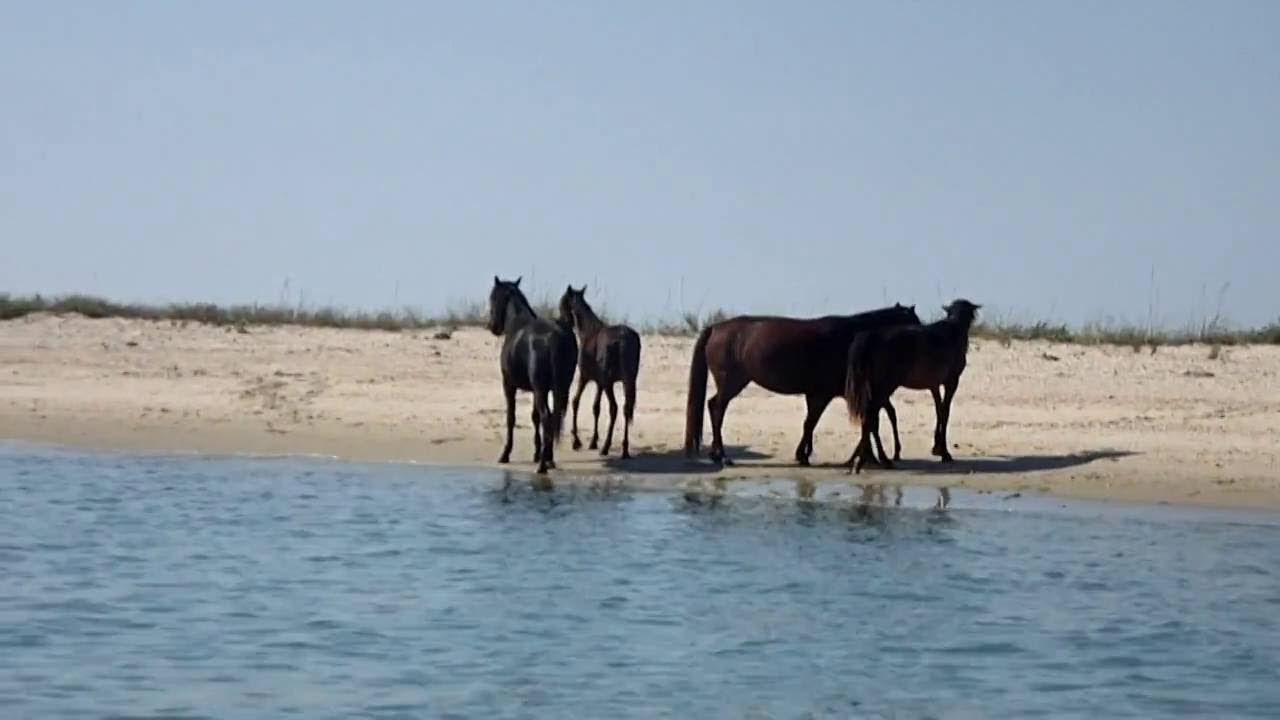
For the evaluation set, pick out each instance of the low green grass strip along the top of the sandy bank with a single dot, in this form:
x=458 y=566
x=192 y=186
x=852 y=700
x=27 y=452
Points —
x=476 y=315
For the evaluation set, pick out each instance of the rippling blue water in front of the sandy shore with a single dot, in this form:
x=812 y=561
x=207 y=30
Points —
x=147 y=587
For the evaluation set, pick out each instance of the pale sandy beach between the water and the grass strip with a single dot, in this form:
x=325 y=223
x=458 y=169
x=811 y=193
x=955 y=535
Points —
x=1174 y=426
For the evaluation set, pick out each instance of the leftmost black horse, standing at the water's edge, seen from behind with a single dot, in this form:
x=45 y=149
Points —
x=538 y=357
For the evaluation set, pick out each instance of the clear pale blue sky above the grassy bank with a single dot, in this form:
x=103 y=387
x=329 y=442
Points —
x=1073 y=162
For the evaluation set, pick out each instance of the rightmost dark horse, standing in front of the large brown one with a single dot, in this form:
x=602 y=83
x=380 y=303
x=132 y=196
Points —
x=918 y=358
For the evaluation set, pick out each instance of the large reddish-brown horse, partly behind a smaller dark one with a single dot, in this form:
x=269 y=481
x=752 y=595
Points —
x=783 y=356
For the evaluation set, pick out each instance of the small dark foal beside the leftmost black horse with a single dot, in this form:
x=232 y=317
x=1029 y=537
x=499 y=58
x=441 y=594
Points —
x=607 y=356
